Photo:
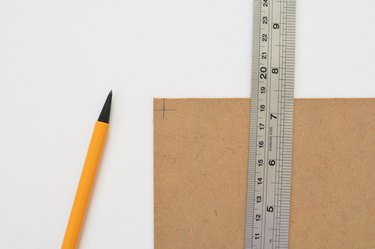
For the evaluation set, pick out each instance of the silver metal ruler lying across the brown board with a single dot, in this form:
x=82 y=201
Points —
x=270 y=158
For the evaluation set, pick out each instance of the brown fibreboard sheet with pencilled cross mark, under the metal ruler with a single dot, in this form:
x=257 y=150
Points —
x=200 y=173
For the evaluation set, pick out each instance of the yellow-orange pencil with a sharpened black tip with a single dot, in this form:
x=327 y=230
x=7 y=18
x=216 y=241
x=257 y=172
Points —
x=86 y=182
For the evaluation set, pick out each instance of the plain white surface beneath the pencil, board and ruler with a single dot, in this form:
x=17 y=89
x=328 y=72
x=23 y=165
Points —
x=58 y=60
